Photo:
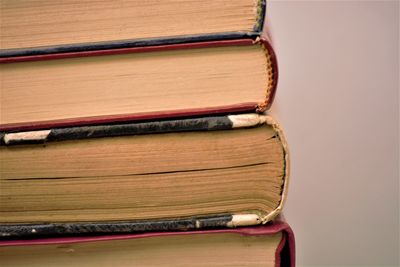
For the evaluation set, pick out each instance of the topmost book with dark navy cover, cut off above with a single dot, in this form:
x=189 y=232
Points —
x=47 y=27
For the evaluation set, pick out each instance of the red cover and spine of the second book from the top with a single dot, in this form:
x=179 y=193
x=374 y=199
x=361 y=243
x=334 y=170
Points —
x=270 y=89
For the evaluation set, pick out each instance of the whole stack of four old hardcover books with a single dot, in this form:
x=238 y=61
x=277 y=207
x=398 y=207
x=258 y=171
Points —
x=134 y=133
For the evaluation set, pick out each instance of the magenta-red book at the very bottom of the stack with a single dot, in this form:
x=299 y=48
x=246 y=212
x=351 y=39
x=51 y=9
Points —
x=269 y=245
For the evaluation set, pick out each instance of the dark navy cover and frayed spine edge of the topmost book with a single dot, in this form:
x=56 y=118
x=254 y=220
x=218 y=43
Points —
x=132 y=43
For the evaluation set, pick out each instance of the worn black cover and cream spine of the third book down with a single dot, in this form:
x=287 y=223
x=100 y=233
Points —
x=194 y=124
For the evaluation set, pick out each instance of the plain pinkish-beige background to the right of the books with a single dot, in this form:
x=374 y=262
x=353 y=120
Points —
x=338 y=100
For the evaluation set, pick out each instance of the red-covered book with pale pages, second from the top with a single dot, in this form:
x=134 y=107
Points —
x=137 y=83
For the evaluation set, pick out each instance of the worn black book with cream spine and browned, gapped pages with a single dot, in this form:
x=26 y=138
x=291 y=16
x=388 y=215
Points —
x=203 y=172
